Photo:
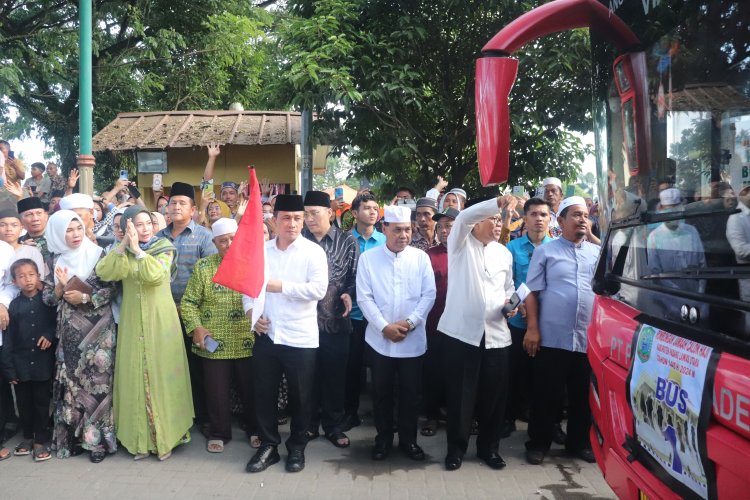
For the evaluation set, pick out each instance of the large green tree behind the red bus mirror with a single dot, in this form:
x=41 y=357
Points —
x=395 y=80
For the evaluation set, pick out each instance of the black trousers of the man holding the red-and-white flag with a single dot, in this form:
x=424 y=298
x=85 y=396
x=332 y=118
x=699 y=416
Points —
x=270 y=361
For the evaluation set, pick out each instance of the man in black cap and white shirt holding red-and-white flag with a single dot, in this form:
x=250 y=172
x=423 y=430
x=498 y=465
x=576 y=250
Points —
x=284 y=313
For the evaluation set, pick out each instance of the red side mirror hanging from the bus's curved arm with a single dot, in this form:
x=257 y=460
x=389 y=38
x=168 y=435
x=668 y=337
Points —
x=495 y=77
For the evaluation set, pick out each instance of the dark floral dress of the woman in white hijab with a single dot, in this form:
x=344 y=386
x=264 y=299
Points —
x=82 y=389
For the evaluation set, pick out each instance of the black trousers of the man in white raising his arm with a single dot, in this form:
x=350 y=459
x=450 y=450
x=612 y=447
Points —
x=476 y=381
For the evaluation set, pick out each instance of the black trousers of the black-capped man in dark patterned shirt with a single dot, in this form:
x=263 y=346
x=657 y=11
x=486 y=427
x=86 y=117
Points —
x=330 y=382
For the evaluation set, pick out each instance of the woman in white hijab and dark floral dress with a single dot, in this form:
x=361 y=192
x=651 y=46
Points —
x=82 y=390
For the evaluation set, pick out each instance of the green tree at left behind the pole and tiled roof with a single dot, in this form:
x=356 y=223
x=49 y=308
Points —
x=148 y=55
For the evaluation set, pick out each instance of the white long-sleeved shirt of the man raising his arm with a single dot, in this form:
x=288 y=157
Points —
x=480 y=279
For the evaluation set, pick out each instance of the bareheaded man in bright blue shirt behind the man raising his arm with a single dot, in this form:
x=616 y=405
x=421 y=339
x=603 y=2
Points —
x=536 y=220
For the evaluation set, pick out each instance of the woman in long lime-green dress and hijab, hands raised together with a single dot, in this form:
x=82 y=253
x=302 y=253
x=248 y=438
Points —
x=152 y=398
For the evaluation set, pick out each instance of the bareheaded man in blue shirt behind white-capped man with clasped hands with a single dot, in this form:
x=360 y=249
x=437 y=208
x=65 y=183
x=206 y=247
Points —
x=365 y=210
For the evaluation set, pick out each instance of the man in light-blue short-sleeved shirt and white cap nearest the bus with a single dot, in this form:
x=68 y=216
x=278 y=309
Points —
x=558 y=312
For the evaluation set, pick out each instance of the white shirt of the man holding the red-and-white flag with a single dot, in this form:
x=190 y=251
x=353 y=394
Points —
x=303 y=271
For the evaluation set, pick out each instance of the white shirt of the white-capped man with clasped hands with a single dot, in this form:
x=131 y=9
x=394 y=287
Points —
x=393 y=287
